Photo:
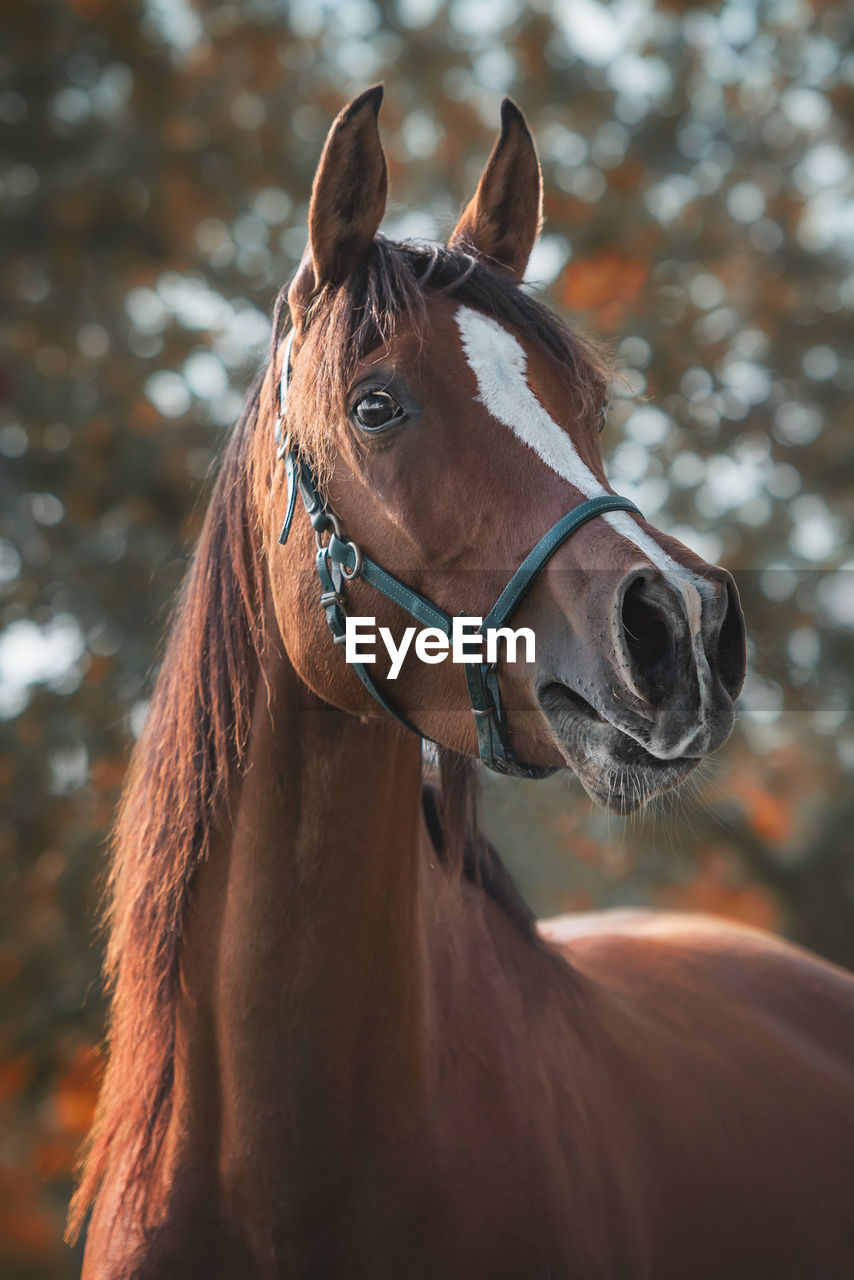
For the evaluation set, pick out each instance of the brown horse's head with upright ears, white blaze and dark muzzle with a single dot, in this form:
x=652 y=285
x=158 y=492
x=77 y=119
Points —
x=450 y=422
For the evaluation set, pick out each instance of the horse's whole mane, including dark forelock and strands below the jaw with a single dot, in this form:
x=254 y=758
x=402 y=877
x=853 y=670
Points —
x=194 y=743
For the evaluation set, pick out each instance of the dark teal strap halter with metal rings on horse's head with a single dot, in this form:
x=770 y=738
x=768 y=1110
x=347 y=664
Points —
x=340 y=561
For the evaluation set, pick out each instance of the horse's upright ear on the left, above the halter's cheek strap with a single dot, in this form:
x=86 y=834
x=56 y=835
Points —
x=348 y=199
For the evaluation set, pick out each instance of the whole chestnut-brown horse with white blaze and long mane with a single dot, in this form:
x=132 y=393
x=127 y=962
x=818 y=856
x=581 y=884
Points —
x=339 y=1045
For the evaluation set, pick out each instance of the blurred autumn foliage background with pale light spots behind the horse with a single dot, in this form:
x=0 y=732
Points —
x=156 y=166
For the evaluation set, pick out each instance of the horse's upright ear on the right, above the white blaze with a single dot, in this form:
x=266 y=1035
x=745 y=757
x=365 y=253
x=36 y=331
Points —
x=504 y=220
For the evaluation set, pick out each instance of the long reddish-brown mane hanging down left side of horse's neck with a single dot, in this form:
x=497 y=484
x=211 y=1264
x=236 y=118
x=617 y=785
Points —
x=191 y=748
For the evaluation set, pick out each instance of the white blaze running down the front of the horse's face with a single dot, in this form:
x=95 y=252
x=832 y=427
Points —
x=500 y=364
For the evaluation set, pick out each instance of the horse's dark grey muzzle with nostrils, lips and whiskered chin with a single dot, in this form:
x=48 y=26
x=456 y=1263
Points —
x=643 y=687
